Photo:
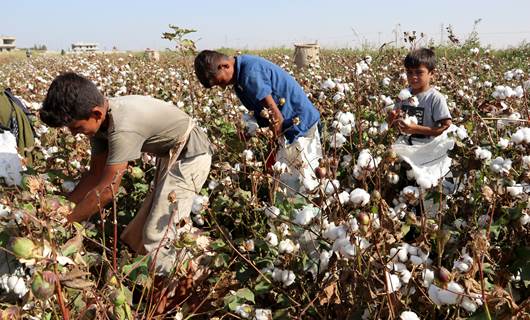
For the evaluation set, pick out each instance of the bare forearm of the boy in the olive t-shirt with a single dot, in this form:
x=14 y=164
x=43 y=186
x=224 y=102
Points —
x=101 y=194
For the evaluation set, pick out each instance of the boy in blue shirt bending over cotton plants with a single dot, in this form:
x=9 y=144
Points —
x=276 y=100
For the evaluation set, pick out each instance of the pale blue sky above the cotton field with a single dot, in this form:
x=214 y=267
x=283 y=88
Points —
x=136 y=25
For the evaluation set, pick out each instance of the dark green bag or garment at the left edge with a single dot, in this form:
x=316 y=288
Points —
x=14 y=118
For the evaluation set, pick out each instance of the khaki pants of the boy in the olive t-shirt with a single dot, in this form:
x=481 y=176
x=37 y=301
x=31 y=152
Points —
x=157 y=222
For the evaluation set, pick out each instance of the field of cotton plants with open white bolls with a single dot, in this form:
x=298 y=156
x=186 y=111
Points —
x=375 y=237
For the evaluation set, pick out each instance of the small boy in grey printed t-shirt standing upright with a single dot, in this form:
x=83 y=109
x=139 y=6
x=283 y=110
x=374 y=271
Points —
x=431 y=111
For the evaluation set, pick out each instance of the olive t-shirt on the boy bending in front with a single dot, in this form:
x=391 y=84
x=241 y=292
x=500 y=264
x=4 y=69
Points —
x=144 y=124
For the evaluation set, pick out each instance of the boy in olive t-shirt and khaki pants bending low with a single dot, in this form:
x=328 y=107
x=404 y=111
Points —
x=120 y=129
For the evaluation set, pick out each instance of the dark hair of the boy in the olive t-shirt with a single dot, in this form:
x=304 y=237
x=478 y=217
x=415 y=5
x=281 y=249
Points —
x=70 y=97
